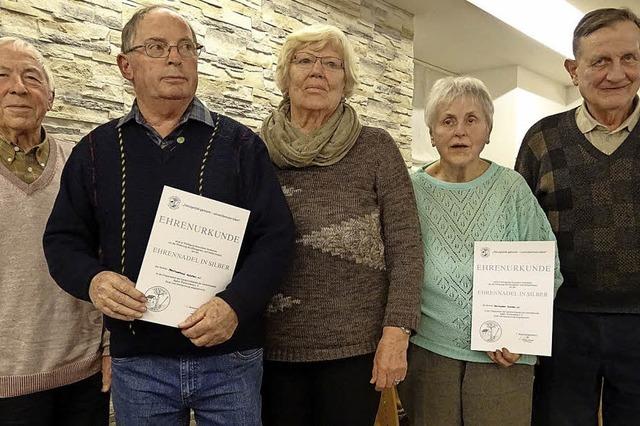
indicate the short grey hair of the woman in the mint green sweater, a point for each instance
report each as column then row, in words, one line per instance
column 448, row 89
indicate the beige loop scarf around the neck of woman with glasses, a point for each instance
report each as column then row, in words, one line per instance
column 289, row 147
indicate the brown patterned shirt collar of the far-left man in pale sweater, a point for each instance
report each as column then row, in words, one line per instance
column 27, row 166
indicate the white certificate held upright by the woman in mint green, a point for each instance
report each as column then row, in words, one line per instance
column 513, row 286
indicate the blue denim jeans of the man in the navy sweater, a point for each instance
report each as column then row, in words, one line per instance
column 155, row 390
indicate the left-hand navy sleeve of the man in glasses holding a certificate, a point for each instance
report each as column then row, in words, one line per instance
column 70, row 239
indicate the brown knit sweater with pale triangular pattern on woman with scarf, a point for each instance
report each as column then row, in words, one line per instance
column 358, row 255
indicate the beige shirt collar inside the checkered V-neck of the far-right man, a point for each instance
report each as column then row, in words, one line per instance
column 599, row 135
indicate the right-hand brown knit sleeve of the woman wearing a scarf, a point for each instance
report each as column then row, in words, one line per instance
column 401, row 237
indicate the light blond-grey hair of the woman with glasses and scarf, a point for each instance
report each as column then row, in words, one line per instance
column 317, row 36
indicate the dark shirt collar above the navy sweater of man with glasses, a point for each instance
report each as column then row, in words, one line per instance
column 195, row 111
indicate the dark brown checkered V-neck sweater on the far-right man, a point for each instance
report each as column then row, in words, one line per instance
column 592, row 201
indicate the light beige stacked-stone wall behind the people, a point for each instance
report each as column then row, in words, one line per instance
column 81, row 40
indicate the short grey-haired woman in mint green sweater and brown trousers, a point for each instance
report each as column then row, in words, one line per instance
column 463, row 198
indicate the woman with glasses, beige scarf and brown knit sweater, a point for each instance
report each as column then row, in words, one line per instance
column 340, row 326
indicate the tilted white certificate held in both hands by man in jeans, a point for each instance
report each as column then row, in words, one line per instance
column 191, row 254
